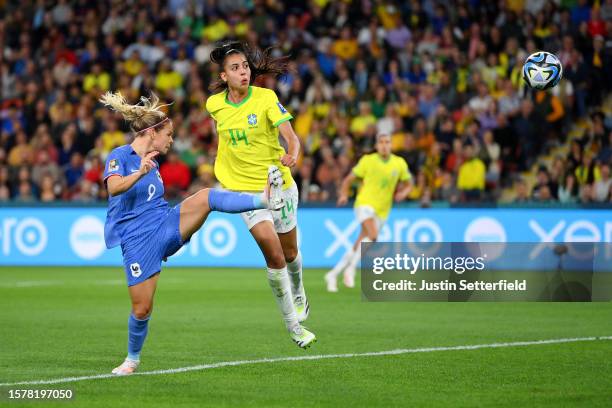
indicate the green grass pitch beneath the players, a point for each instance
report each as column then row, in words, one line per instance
column 66, row 322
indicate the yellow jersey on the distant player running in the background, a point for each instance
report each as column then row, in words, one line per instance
column 379, row 179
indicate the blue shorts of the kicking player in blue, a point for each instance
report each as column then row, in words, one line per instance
column 142, row 256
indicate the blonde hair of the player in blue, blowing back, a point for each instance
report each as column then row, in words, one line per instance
column 147, row 113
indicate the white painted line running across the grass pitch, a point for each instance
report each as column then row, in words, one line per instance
column 314, row 357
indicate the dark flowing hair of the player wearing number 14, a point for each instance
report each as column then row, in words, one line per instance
column 260, row 62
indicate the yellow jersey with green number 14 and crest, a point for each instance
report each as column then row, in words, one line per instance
column 248, row 139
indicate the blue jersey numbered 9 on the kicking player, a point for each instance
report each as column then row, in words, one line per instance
column 138, row 210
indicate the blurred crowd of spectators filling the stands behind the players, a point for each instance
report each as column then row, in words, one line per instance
column 443, row 78
